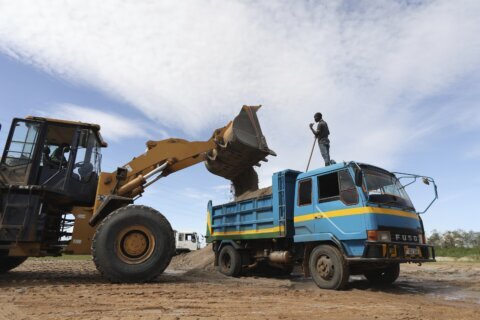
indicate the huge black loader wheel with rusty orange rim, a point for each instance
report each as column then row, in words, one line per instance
column 133, row 244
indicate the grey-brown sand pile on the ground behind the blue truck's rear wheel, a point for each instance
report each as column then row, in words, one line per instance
column 195, row 260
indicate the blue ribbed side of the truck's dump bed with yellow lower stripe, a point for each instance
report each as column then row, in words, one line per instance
column 270, row 216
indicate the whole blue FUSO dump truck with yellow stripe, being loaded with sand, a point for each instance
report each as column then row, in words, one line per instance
column 341, row 220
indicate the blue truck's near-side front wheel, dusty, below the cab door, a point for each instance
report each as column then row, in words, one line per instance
column 328, row 267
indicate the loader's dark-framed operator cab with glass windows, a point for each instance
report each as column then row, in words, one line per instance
column 60, row 157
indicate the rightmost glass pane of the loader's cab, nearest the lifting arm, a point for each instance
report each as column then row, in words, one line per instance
column 87, row 159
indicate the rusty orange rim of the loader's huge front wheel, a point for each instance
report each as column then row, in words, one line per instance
column 135, row 244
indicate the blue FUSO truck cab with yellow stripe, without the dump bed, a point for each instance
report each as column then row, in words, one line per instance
column 364, row 209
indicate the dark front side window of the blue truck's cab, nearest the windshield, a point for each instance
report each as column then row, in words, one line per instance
column 337, row 186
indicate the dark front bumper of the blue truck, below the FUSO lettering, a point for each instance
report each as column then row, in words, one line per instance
column 377, row 251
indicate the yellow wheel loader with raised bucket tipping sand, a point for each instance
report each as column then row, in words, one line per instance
column 50, row 170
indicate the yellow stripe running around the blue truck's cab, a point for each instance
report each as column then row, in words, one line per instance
column 355, row 211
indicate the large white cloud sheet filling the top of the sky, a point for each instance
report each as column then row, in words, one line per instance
column 366, row 65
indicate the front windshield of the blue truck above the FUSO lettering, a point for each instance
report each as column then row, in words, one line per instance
column 385, row 189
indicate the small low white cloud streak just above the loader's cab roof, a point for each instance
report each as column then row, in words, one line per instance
column 113, row 126
